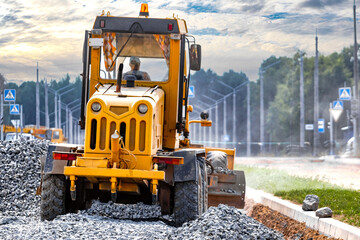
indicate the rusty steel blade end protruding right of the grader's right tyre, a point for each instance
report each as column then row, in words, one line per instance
column 227, row 189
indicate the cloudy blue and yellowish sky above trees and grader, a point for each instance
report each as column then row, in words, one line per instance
column 234, row 34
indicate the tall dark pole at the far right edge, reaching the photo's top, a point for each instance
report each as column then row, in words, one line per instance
column 356, row 80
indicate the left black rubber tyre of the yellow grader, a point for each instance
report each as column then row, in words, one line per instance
column 52, row 196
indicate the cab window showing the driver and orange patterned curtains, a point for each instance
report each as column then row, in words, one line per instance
column 145, row 56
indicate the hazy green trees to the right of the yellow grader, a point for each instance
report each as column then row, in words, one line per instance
column 282, row 98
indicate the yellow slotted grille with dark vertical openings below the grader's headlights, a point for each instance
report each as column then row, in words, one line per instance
column 132, row 132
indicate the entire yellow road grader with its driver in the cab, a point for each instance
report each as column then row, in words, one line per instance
column 137, row 146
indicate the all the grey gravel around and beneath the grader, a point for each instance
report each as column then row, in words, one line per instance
column 20, row 215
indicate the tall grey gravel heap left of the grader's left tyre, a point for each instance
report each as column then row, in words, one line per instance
column 20, row 176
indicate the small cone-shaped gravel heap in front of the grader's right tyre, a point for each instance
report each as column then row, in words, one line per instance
column 224, row 222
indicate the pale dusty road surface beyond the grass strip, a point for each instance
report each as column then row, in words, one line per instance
column 344, row 172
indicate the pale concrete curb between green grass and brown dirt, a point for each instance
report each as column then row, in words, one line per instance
column 326, row 226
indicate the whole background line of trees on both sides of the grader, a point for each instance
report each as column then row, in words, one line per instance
column 281, row 98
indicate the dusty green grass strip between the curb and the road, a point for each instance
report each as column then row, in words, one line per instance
column 345, row 203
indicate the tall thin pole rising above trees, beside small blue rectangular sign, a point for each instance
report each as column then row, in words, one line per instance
column 316, row 98
